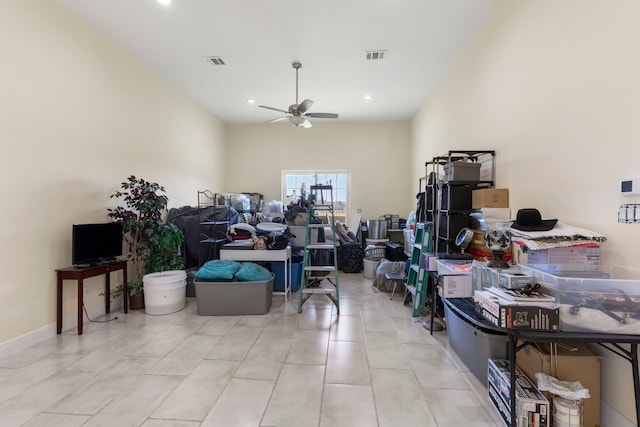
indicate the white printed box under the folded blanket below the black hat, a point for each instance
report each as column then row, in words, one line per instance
column 575, row 258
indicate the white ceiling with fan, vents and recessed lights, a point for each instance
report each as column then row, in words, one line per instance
column 259, row 40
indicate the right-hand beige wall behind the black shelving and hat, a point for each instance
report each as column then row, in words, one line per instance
column 553, row 87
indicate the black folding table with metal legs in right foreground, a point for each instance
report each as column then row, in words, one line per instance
column 612, row 342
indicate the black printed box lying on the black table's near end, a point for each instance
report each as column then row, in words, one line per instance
column 517, row 315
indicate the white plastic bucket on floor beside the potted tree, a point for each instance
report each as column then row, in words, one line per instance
column 164, row 292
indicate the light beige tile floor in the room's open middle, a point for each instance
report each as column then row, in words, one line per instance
column 374, row 365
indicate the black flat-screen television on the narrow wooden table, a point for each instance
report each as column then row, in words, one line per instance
column 96, row 243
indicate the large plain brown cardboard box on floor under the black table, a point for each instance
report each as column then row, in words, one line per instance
column 571, row 362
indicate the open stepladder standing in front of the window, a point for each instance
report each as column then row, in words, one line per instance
column 314, row 275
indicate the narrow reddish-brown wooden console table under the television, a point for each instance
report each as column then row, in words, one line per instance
column 81, row 273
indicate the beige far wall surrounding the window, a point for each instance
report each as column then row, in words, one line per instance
column 376, row 154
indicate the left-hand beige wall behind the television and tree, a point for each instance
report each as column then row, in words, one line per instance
column 77, row 116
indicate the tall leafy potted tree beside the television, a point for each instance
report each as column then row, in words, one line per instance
column 153, row 245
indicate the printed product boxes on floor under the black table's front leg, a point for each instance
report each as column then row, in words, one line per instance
column 532, row 408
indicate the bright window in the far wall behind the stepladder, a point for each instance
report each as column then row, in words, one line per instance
column 292, row 183
